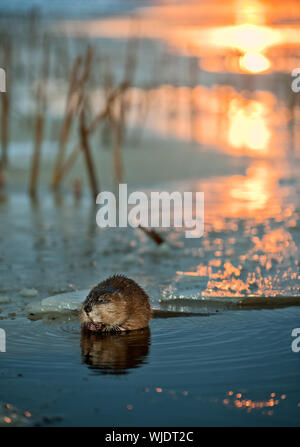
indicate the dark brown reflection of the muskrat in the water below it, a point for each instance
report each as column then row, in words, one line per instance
column 115, row 354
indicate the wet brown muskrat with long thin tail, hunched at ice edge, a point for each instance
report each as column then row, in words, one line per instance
column 120, row 304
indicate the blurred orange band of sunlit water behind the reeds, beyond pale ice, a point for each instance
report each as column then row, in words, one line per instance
column 241, row 123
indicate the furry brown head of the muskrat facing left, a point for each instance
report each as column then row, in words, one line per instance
column 103, row 310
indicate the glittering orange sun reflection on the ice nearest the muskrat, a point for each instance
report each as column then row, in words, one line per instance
column 250, row 245
